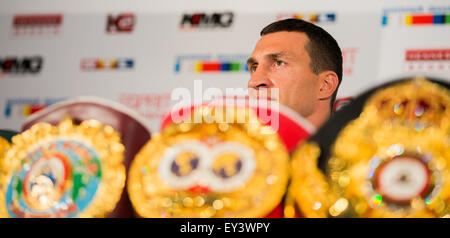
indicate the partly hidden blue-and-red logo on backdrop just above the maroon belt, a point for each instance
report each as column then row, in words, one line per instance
column 23, row 107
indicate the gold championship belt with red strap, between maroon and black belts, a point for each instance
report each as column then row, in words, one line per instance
column 229, row 164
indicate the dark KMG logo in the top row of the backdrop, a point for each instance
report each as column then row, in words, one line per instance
column 206, row 20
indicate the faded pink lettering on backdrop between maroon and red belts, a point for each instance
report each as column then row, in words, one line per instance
column 152, row 106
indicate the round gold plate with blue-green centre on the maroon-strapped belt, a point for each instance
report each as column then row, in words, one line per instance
column 62, row 171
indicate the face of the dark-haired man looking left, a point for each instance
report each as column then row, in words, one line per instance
column 281, row 61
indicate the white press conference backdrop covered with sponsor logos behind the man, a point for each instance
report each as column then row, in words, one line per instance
column 136, row 52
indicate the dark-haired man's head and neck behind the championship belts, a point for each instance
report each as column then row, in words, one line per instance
column 304, row 62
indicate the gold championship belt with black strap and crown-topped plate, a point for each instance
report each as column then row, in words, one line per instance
column 386, row 154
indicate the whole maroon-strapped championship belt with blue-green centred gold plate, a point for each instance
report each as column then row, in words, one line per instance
column 70, row 161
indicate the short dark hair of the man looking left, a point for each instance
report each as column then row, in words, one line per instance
column 322, row 48
